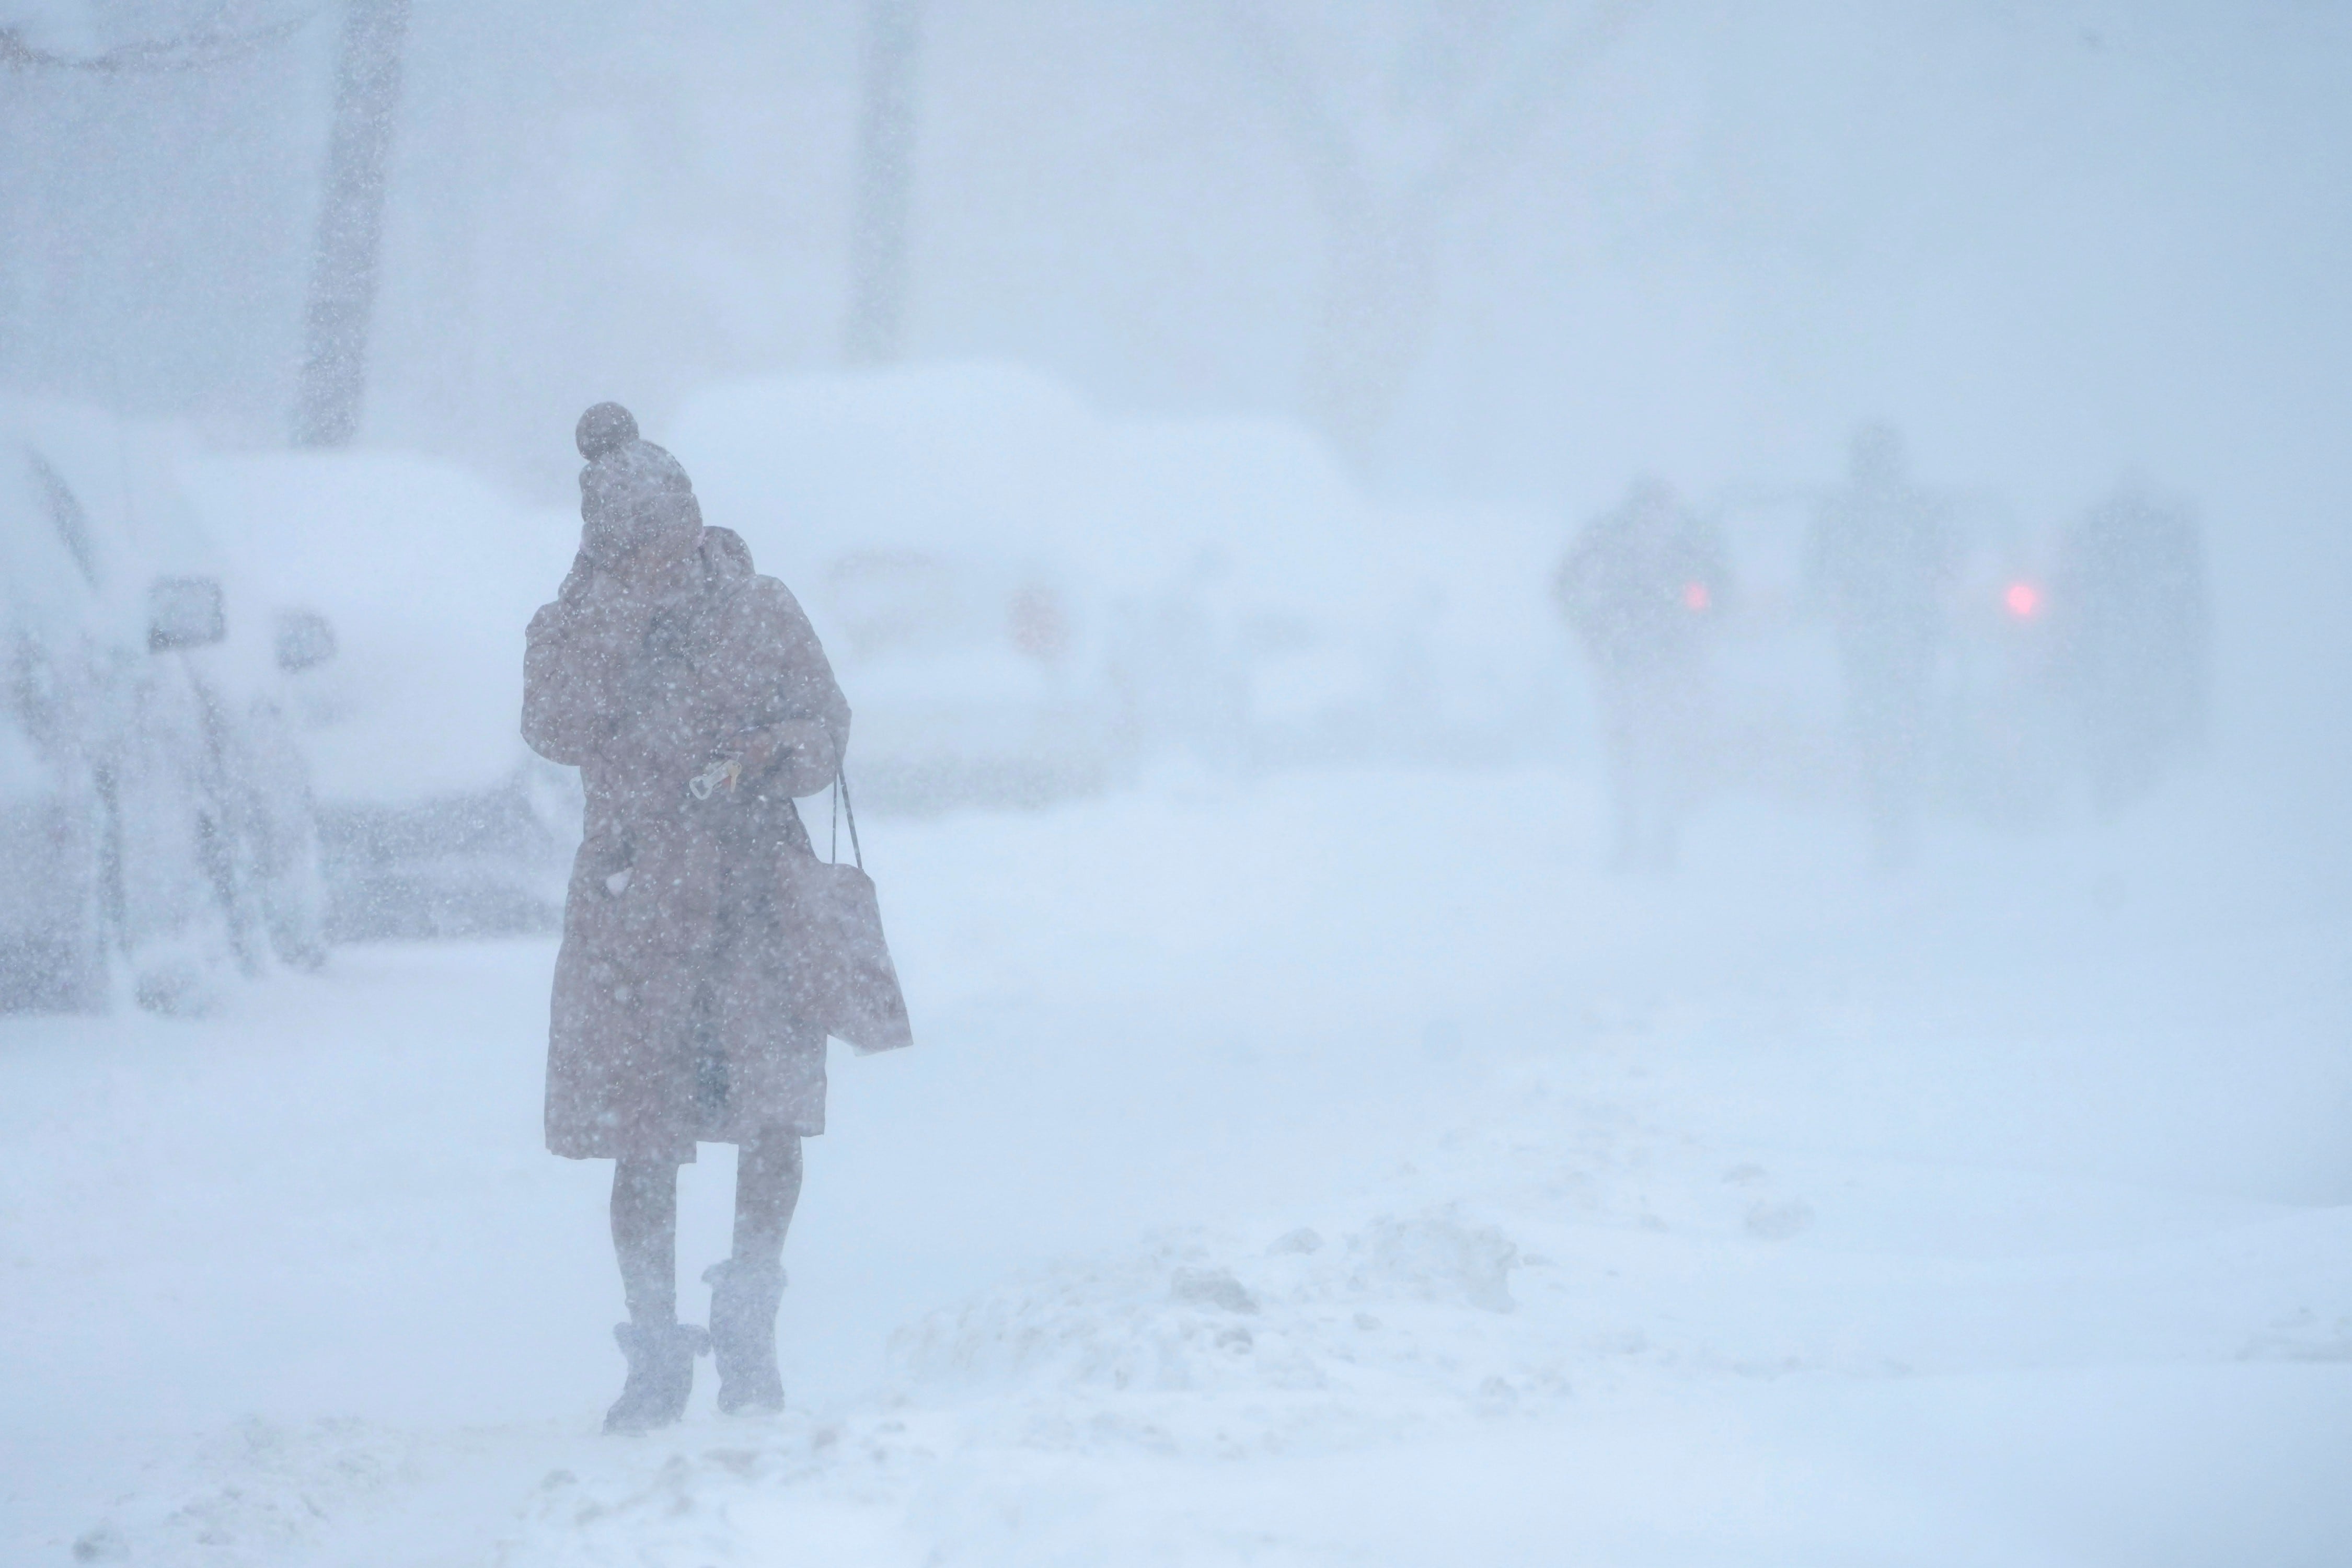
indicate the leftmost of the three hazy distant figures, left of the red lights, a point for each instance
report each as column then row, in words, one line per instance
column 1643, row 589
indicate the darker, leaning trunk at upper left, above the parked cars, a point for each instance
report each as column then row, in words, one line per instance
column 352, row 225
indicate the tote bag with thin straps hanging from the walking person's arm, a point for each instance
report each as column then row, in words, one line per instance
column 843, row 974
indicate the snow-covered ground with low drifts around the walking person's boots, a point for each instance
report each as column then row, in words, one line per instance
column 1332, row 1170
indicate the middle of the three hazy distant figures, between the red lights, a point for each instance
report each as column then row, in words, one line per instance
column 1883, row 561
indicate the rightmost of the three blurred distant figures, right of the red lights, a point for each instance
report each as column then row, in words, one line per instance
column 2130, row 619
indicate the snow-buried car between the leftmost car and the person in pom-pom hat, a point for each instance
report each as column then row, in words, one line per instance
column 434, row 817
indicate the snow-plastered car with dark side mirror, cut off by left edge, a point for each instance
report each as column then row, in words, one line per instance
column 154, row 805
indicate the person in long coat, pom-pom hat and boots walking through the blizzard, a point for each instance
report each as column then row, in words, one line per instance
column 697, row 704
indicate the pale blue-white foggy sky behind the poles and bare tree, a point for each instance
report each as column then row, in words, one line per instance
column 2052, row 241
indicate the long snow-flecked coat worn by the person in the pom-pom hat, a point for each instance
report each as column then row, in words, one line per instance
column 671, row 1014
